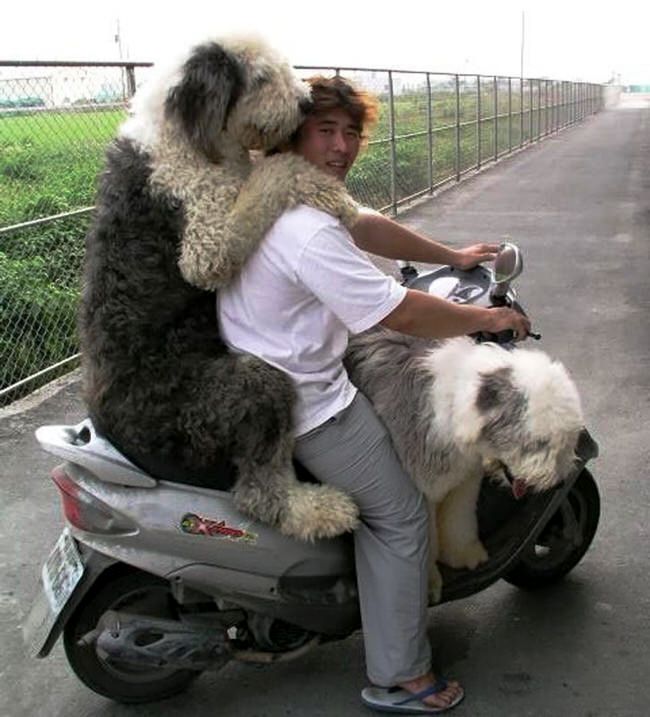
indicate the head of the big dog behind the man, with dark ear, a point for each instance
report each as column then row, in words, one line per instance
column 237, row 92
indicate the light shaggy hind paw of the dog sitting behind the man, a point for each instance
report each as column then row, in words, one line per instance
column 318, row 511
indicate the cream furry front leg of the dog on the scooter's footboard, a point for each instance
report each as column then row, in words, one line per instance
column 460, row 546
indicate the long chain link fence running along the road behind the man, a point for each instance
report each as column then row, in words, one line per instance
column 57, row 118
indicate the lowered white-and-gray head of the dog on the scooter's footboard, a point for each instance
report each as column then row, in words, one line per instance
column 530, row 420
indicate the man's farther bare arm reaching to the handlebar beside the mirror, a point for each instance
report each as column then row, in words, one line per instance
column 382, row 236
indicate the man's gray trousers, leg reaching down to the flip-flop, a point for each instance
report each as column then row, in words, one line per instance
column 353, row 451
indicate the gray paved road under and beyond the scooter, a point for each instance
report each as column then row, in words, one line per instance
column 578, row 205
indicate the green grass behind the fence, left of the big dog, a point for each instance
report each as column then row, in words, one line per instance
column 48, row 165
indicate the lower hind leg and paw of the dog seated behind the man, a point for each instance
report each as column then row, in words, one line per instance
column 271, row 492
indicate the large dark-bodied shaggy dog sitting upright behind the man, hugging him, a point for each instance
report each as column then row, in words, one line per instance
column 180, row 208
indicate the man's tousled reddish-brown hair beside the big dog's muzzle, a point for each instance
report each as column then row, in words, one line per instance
column 337, row 93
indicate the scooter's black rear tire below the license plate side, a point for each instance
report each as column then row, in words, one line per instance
column 128, row 683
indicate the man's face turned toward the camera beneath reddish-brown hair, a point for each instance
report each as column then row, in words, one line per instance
column 331, row 142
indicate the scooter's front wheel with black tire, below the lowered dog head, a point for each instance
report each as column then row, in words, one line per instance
column 564, row 539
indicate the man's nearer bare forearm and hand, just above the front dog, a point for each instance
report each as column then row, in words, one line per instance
column 421, row 314
